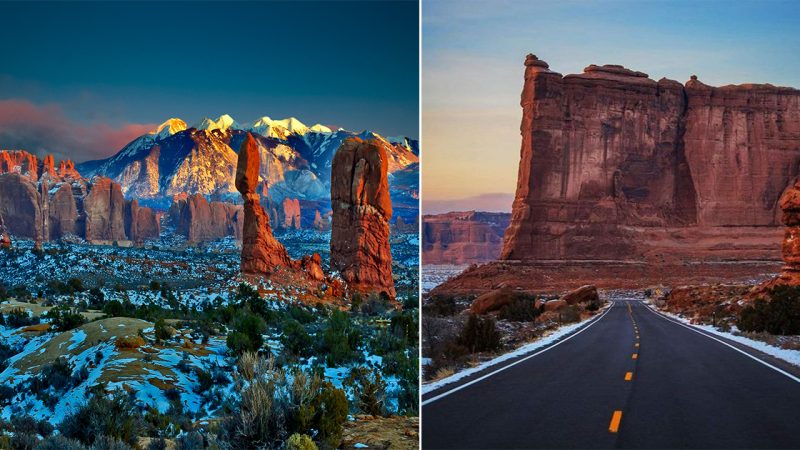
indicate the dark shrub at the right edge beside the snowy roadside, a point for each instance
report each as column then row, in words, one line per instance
column 780, row 315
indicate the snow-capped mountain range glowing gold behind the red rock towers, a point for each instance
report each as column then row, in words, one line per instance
column 295, row 159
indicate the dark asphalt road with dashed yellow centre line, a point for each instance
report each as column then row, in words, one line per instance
column 598, row 389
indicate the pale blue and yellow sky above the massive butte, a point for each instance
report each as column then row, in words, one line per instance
column 472, row 67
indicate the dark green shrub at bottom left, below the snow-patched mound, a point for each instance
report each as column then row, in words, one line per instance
column 104, row 419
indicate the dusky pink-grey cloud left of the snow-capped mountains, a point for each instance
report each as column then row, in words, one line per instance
column 46, row 130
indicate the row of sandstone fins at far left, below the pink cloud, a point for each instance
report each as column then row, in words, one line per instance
column 43, row 203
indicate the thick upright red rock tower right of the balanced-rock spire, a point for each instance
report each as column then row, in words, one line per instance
column 361, row 212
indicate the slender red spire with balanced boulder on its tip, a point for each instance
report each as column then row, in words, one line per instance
column 261, row 252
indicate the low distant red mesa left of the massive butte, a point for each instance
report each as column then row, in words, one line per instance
column 462, row 237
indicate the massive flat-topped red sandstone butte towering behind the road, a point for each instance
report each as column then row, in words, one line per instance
column 615, row 165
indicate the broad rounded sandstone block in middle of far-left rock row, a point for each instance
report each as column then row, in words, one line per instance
column 104, row 208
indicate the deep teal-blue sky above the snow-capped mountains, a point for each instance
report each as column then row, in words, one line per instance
column 113, row 66
